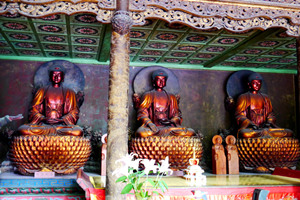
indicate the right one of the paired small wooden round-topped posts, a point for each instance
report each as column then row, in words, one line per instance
column 232, row 155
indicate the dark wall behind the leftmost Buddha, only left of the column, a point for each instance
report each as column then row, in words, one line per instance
column 16, row 84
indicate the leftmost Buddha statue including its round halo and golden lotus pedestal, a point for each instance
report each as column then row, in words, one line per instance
column 51, row 141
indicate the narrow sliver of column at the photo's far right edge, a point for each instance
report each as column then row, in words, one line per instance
column 297, row 87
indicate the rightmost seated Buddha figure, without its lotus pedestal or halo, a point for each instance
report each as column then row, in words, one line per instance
column 254, row 113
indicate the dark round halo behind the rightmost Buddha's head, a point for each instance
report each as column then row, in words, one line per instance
column 237, row 84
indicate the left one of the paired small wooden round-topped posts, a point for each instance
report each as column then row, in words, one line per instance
column 218, row 156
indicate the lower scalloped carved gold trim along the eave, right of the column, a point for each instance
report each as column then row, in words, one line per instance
column 204, row 23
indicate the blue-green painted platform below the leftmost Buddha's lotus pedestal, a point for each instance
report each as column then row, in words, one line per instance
column 14, row 186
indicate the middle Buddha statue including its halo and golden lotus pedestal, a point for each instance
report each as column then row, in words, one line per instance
column 160, row 133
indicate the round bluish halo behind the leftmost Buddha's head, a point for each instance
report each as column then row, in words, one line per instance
column 74, row 78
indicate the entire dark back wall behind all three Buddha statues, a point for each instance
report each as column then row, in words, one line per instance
column 202, row 96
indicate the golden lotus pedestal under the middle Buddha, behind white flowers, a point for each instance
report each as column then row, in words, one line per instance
column 179, row 149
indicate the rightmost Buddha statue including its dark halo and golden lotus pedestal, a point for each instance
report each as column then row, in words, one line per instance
column 261, row 144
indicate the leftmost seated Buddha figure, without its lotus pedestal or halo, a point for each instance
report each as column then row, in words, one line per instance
column 54, row 109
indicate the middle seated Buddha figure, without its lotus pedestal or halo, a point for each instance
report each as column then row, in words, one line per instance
column 158, row 111
